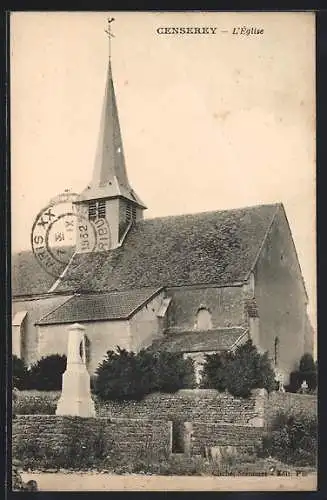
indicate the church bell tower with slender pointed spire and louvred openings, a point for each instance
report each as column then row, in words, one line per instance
column 109, row 197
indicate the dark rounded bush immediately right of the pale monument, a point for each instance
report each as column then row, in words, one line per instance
column 124, row 375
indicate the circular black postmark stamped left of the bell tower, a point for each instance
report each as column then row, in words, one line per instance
column 61, row 229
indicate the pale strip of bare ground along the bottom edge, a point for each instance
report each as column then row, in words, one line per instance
column 135, row 482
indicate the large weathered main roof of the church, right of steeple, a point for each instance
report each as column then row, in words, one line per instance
column 218, row 248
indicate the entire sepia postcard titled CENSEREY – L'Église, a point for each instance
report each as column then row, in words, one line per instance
column 163, row 251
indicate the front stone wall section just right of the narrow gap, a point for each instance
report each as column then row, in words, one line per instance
column 205, row 434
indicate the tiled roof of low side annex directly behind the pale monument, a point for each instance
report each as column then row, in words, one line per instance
column 95, row 307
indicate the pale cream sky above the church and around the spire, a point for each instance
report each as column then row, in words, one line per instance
column 208, row 122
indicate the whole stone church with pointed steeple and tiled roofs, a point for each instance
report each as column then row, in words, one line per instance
column 194, row 284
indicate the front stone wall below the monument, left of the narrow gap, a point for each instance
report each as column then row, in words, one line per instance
column 43, row 441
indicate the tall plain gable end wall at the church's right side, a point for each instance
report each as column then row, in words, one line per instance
column 281, row 298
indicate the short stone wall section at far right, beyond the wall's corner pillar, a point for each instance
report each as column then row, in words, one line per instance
column 288, row 402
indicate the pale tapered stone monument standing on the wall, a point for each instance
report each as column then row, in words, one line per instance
column 75, row 396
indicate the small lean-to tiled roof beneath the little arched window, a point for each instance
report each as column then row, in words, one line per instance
column 200, row 341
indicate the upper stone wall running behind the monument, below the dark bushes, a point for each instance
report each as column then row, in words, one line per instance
column 184, row 405
